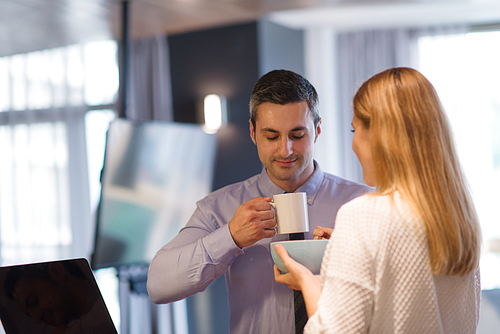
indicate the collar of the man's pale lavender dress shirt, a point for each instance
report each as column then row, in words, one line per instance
column 310, row 187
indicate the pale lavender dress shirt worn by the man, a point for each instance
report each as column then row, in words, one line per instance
column 204, row 250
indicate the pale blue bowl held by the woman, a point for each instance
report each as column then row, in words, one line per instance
column 307, row 252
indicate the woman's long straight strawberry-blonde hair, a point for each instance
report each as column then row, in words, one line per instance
column 413, row 151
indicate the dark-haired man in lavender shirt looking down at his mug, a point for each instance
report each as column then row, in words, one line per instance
column 231, row 229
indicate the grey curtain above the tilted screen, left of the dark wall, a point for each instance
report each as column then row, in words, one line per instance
column 150, row 95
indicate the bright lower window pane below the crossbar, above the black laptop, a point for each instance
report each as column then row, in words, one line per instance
column 34, row 191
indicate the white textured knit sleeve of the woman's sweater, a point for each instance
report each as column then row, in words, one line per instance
column 345, row 305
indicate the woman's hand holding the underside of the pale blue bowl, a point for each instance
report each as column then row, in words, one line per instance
column 297, row 275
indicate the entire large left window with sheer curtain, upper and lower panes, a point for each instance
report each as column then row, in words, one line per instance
column 44, row 186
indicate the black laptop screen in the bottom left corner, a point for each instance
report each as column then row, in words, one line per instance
column 52, row 297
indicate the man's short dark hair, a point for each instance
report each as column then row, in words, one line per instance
column 283, row 87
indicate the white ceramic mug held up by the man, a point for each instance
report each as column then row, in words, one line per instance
column 291, row 213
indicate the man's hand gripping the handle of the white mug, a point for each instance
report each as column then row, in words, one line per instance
column 253, row 221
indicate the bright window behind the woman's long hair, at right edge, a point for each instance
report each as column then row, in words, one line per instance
column 465, row 69
